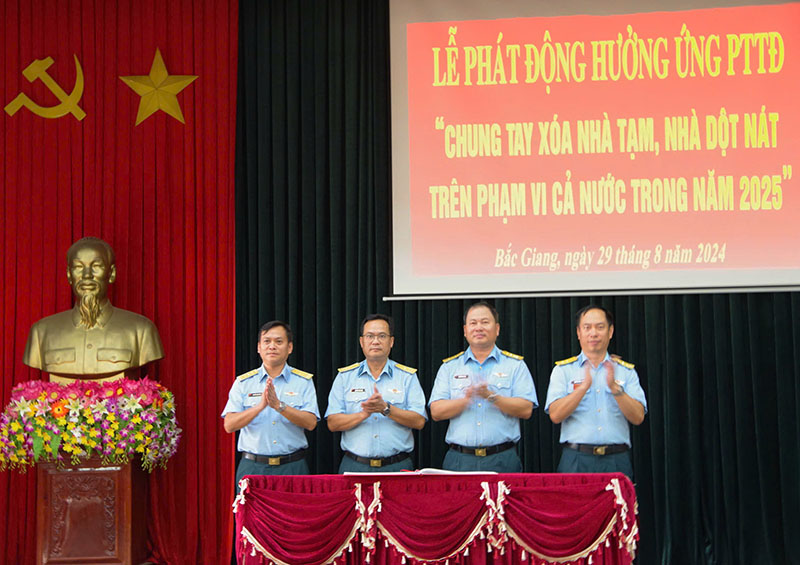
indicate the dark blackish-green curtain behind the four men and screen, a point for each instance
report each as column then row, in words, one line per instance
column 716, row 461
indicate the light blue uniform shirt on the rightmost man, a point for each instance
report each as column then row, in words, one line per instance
column 597, row 420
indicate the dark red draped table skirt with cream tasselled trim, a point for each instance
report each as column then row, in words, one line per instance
column 455, row 519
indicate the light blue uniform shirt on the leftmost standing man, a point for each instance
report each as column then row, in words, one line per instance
column 270, row 433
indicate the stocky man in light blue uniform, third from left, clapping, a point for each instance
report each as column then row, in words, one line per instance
column 484, row 392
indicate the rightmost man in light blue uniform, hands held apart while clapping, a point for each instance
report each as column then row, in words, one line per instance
column 594, row 396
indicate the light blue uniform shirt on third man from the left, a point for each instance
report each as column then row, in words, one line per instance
column 482, row 423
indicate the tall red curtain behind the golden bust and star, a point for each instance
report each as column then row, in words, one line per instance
column 161, row 193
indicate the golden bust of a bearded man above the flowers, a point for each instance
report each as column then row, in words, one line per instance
column 93, row 340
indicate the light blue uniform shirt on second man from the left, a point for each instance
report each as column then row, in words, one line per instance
column 378, row 436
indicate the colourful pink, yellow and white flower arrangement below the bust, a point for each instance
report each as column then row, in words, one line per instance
column 112, row 420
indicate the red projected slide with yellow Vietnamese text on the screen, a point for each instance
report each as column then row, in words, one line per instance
column 625, row 152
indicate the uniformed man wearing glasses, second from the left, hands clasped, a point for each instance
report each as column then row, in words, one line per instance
column 376, row 404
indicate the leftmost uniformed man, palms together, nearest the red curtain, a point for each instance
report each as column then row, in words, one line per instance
column 271, row 407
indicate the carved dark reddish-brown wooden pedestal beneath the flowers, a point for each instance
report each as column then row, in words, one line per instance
column 91, row 513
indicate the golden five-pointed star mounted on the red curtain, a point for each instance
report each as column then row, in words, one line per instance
column 158, row 90
